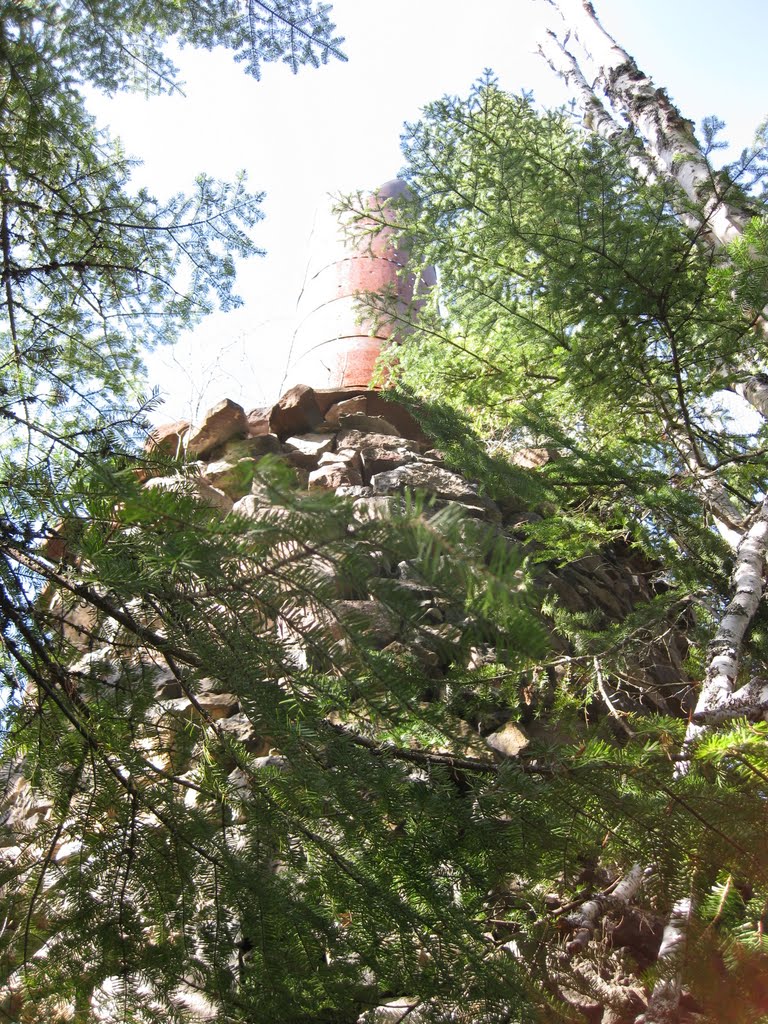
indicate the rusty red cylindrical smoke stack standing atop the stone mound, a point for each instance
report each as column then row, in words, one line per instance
column 332, row 349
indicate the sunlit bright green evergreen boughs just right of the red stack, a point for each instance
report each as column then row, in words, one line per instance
column 577, row 313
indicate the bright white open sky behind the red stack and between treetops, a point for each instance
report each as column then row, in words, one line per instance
column 338, row 130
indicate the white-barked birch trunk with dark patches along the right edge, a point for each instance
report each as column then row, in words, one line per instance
column 718, row 215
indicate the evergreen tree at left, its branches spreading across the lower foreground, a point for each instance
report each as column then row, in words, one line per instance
column 154, row 867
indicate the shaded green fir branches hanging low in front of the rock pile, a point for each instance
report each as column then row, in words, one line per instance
column 271, row 882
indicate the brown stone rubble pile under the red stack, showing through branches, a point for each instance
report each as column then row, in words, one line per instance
column 369, row 450
